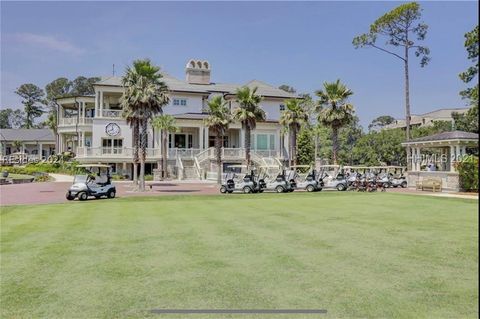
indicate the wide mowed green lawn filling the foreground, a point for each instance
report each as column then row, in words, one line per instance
column 355, row 255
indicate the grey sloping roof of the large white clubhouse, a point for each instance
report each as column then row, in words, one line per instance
column 177, row 85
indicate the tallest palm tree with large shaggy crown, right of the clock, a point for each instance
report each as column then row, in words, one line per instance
column 145, row 96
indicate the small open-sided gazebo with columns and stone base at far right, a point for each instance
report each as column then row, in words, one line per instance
column 434, row 157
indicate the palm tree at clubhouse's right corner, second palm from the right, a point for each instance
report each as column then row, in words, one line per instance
column 292, row 119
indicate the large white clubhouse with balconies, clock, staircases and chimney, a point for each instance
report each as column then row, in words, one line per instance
column 93, row 128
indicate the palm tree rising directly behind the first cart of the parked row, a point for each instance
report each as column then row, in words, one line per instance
column 248, row 113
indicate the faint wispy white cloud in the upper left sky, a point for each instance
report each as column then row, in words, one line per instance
column 48, row 42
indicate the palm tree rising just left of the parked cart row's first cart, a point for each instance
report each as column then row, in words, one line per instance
column 218, row 120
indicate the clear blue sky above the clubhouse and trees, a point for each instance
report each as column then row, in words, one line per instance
column 301, row 44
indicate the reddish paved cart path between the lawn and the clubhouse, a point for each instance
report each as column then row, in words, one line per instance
column 54, row 192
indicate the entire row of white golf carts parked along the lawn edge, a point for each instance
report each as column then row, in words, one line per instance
column 279, row 179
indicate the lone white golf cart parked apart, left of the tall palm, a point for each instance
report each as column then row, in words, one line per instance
column 96, row 183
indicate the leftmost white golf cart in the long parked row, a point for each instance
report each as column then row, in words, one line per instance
column 241, row 180
